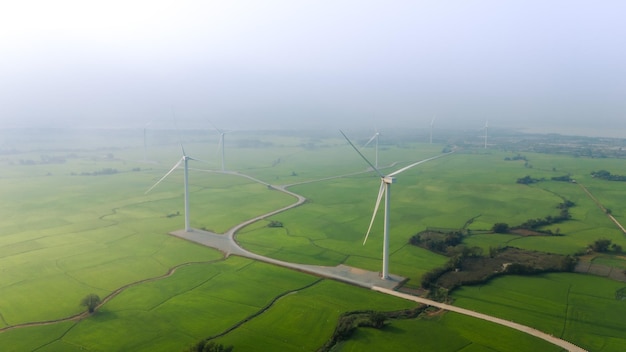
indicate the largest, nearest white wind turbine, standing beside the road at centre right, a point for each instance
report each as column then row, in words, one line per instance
column 385, row 189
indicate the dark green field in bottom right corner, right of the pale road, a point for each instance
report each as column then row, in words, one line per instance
column 581, row 309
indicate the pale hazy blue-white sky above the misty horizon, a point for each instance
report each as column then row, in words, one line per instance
column 288, row 63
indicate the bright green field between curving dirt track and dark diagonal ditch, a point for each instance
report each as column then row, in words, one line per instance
column 196, row 302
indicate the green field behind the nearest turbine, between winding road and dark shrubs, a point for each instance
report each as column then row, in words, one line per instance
column 338, row 211
